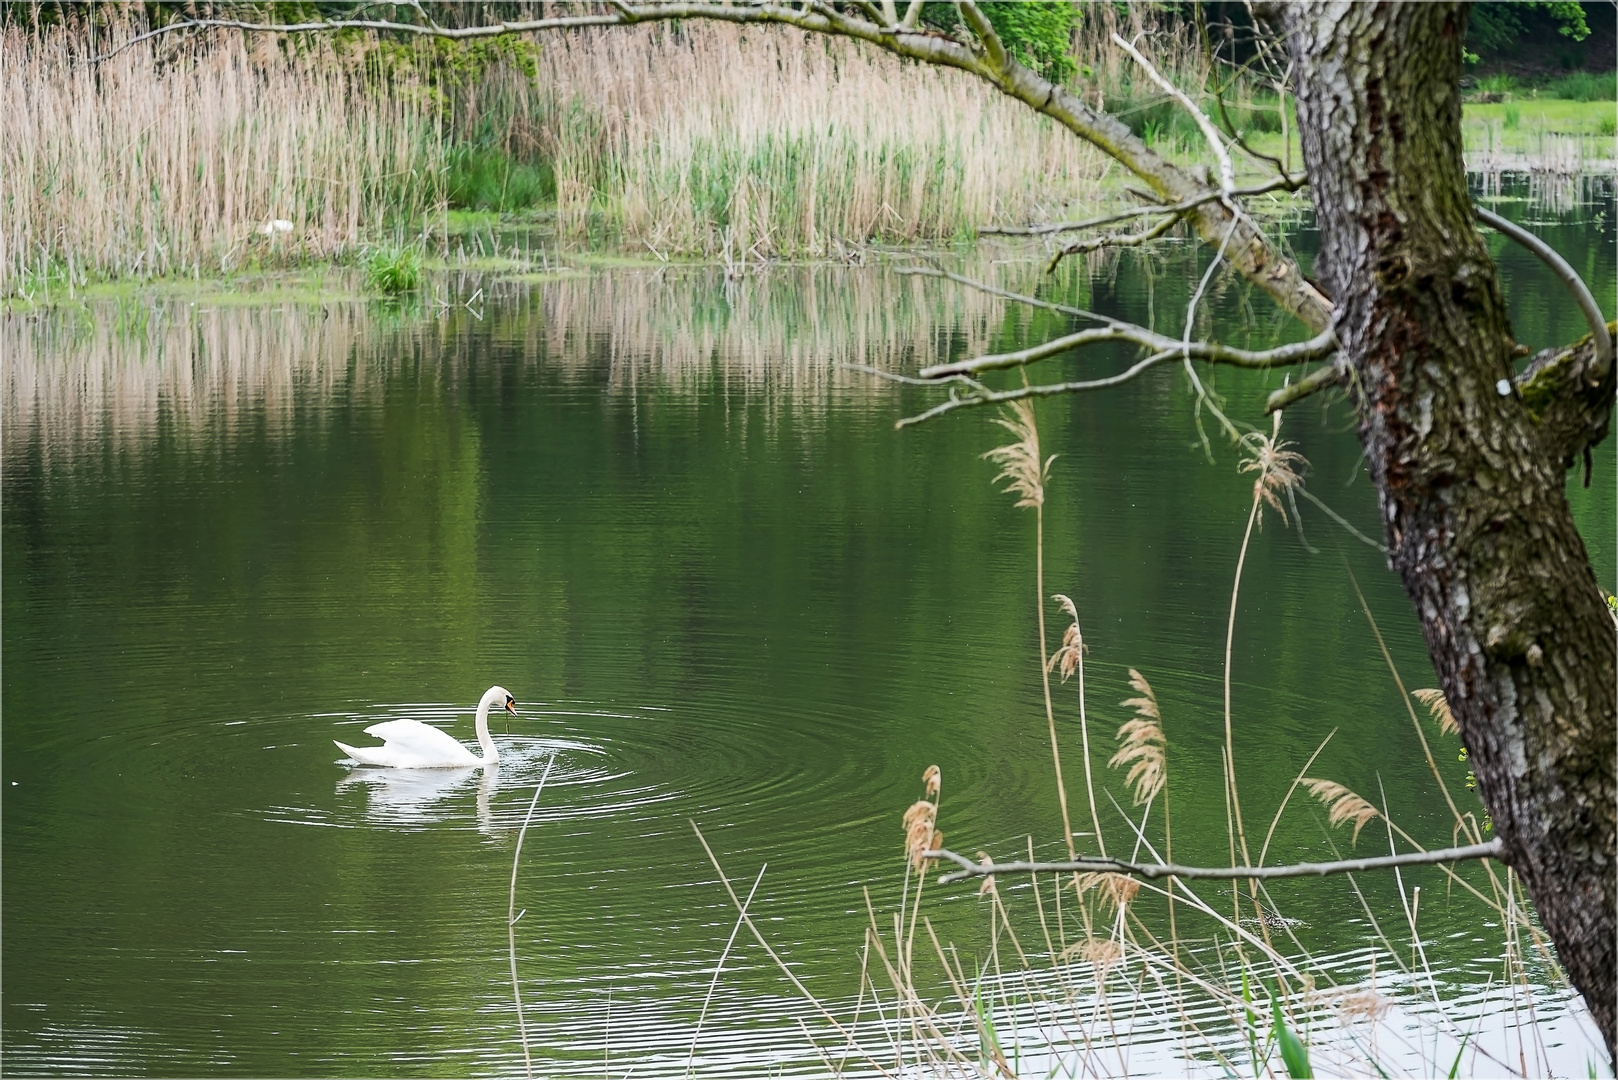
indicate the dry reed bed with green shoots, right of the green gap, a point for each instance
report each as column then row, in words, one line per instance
column 763, row 142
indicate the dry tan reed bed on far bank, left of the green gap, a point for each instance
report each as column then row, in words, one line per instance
column 182, row 156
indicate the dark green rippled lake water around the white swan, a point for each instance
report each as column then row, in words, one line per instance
column 724, row 592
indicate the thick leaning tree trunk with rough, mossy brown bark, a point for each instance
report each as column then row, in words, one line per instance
column 1470, row 487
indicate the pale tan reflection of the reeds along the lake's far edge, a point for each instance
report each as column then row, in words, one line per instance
column 75, row 378
